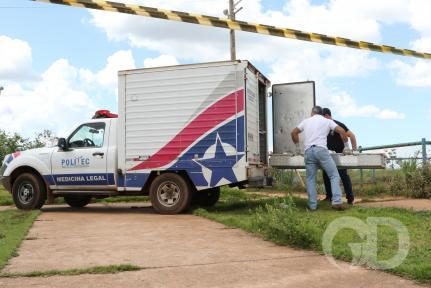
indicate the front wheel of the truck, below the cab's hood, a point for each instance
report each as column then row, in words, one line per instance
column 29, row 192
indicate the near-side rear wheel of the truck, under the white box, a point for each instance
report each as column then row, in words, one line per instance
column 170, row 194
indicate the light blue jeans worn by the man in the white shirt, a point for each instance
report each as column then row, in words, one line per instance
column 316, row 157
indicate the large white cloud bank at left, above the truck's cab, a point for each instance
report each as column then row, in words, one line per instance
column 59, row 97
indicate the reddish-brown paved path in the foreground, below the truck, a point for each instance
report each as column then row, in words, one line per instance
column 177, row 251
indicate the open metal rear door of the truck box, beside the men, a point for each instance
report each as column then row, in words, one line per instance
column 292, row 103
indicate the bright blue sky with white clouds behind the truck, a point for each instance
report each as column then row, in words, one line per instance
column 383, row 98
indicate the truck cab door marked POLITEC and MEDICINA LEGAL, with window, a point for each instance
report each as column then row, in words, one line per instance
column 84, row 164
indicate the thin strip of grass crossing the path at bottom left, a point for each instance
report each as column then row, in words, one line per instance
column 111, row 269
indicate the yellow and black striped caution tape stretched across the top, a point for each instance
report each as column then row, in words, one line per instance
column 235, row 25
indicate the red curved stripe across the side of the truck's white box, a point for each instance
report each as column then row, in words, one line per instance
column 204, row 122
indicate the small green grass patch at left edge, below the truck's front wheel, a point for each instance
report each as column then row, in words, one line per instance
column 14, row 226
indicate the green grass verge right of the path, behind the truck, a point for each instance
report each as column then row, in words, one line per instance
column 295, row 226
